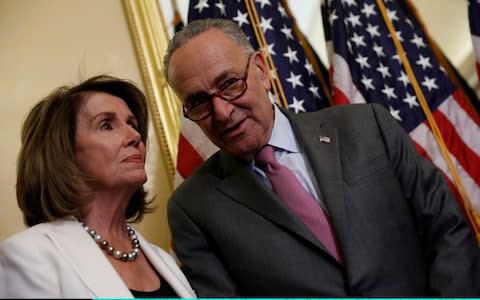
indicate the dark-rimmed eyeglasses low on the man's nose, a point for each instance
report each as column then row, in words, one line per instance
column 201, row 106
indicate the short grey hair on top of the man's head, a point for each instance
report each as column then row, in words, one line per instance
column 194, row 28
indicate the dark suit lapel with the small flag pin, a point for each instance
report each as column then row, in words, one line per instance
column 320, row 146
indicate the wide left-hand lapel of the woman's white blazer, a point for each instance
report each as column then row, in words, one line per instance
column 87, row 259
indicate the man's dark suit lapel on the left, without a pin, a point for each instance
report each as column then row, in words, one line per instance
column 241, row 185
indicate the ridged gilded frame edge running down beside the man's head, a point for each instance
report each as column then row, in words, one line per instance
column 150, row 35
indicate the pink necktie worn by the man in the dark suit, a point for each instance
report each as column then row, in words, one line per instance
column 286, row 185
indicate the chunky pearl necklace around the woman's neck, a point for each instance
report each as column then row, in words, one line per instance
column 105, row 245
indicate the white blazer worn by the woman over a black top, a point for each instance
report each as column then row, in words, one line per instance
column 60, row 260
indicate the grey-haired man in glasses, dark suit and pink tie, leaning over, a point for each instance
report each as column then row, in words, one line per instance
column 390, row 225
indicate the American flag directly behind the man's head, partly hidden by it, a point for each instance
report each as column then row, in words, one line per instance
column 300, row 79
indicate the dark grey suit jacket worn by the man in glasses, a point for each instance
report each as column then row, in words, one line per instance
column 399, row 228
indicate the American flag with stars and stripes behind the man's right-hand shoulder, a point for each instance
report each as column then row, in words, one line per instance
column 367, row 67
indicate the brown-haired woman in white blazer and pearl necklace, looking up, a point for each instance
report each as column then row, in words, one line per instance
column 81, row 171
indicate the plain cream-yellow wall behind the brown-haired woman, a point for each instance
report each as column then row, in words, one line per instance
column 47, row 43
